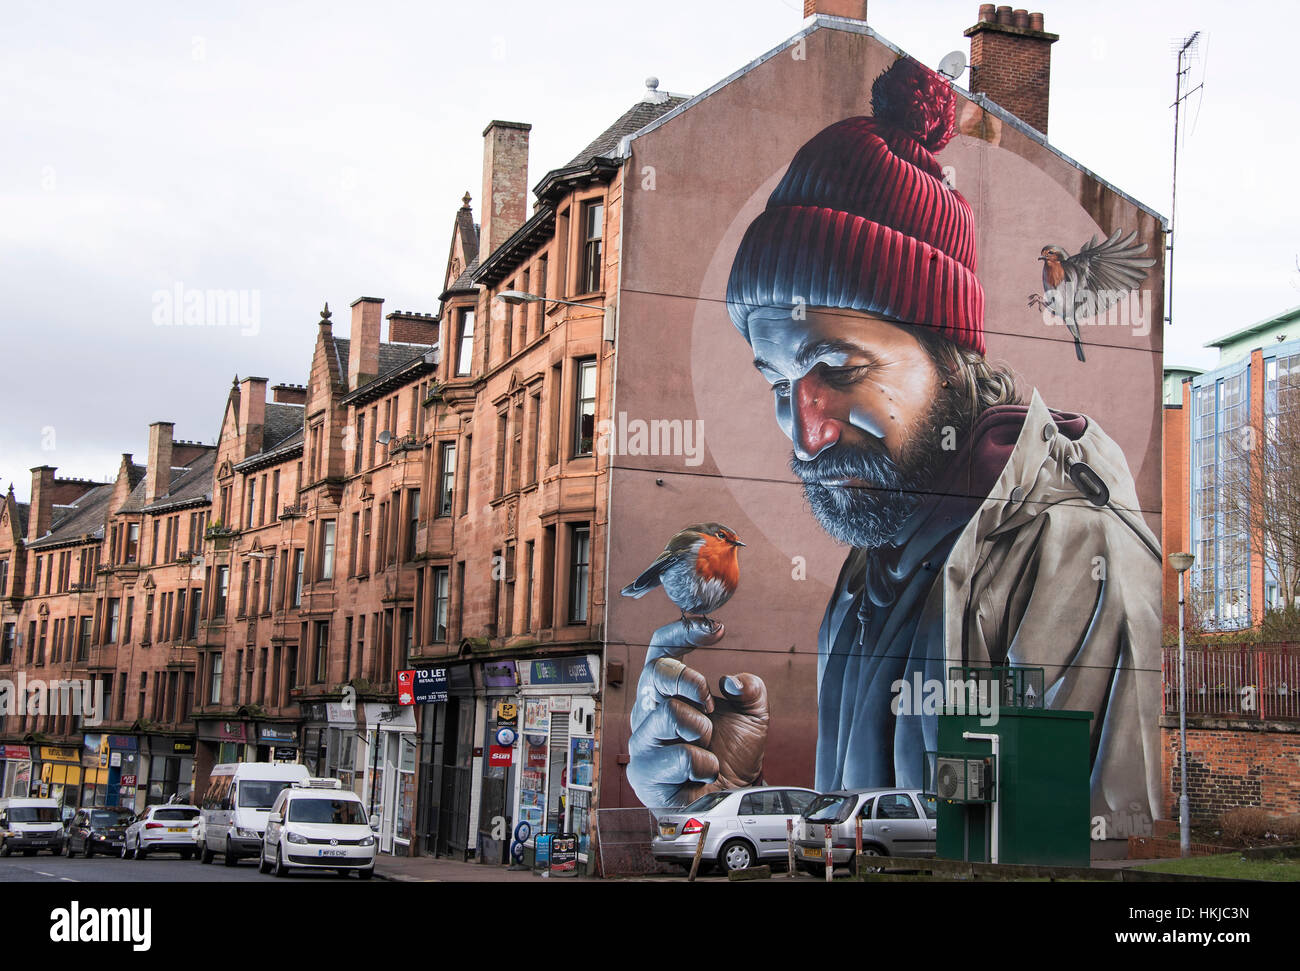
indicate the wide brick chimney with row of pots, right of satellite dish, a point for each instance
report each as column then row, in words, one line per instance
column 1012, row 62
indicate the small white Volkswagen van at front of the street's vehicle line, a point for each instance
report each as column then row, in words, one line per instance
column 322, row 826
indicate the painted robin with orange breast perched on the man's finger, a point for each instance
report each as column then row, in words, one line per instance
column 699, row 570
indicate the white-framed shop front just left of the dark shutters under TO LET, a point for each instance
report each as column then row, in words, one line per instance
column 389, row 784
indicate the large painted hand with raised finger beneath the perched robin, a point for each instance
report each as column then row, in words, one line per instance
column 687, row 742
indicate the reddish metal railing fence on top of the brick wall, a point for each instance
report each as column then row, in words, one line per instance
column 1262, row 682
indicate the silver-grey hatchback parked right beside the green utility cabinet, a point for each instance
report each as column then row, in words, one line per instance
column 895, row 823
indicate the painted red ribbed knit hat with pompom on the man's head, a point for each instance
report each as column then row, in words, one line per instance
column 865, row 222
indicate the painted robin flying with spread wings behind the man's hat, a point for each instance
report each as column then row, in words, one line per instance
column 1085, row 285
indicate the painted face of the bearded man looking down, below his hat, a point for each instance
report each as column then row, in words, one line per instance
column 866, row 410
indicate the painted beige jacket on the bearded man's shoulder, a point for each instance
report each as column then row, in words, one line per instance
column 1073, row 586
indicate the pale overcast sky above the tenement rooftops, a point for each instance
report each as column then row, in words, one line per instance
column 319, row 151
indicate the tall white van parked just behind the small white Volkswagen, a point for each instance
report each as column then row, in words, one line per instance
column 237, row 804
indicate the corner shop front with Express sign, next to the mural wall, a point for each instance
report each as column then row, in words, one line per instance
column 557, row 749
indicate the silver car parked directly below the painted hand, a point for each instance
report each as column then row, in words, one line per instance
column 747, row 827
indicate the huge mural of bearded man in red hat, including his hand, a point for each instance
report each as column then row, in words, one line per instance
column 985, row 528
